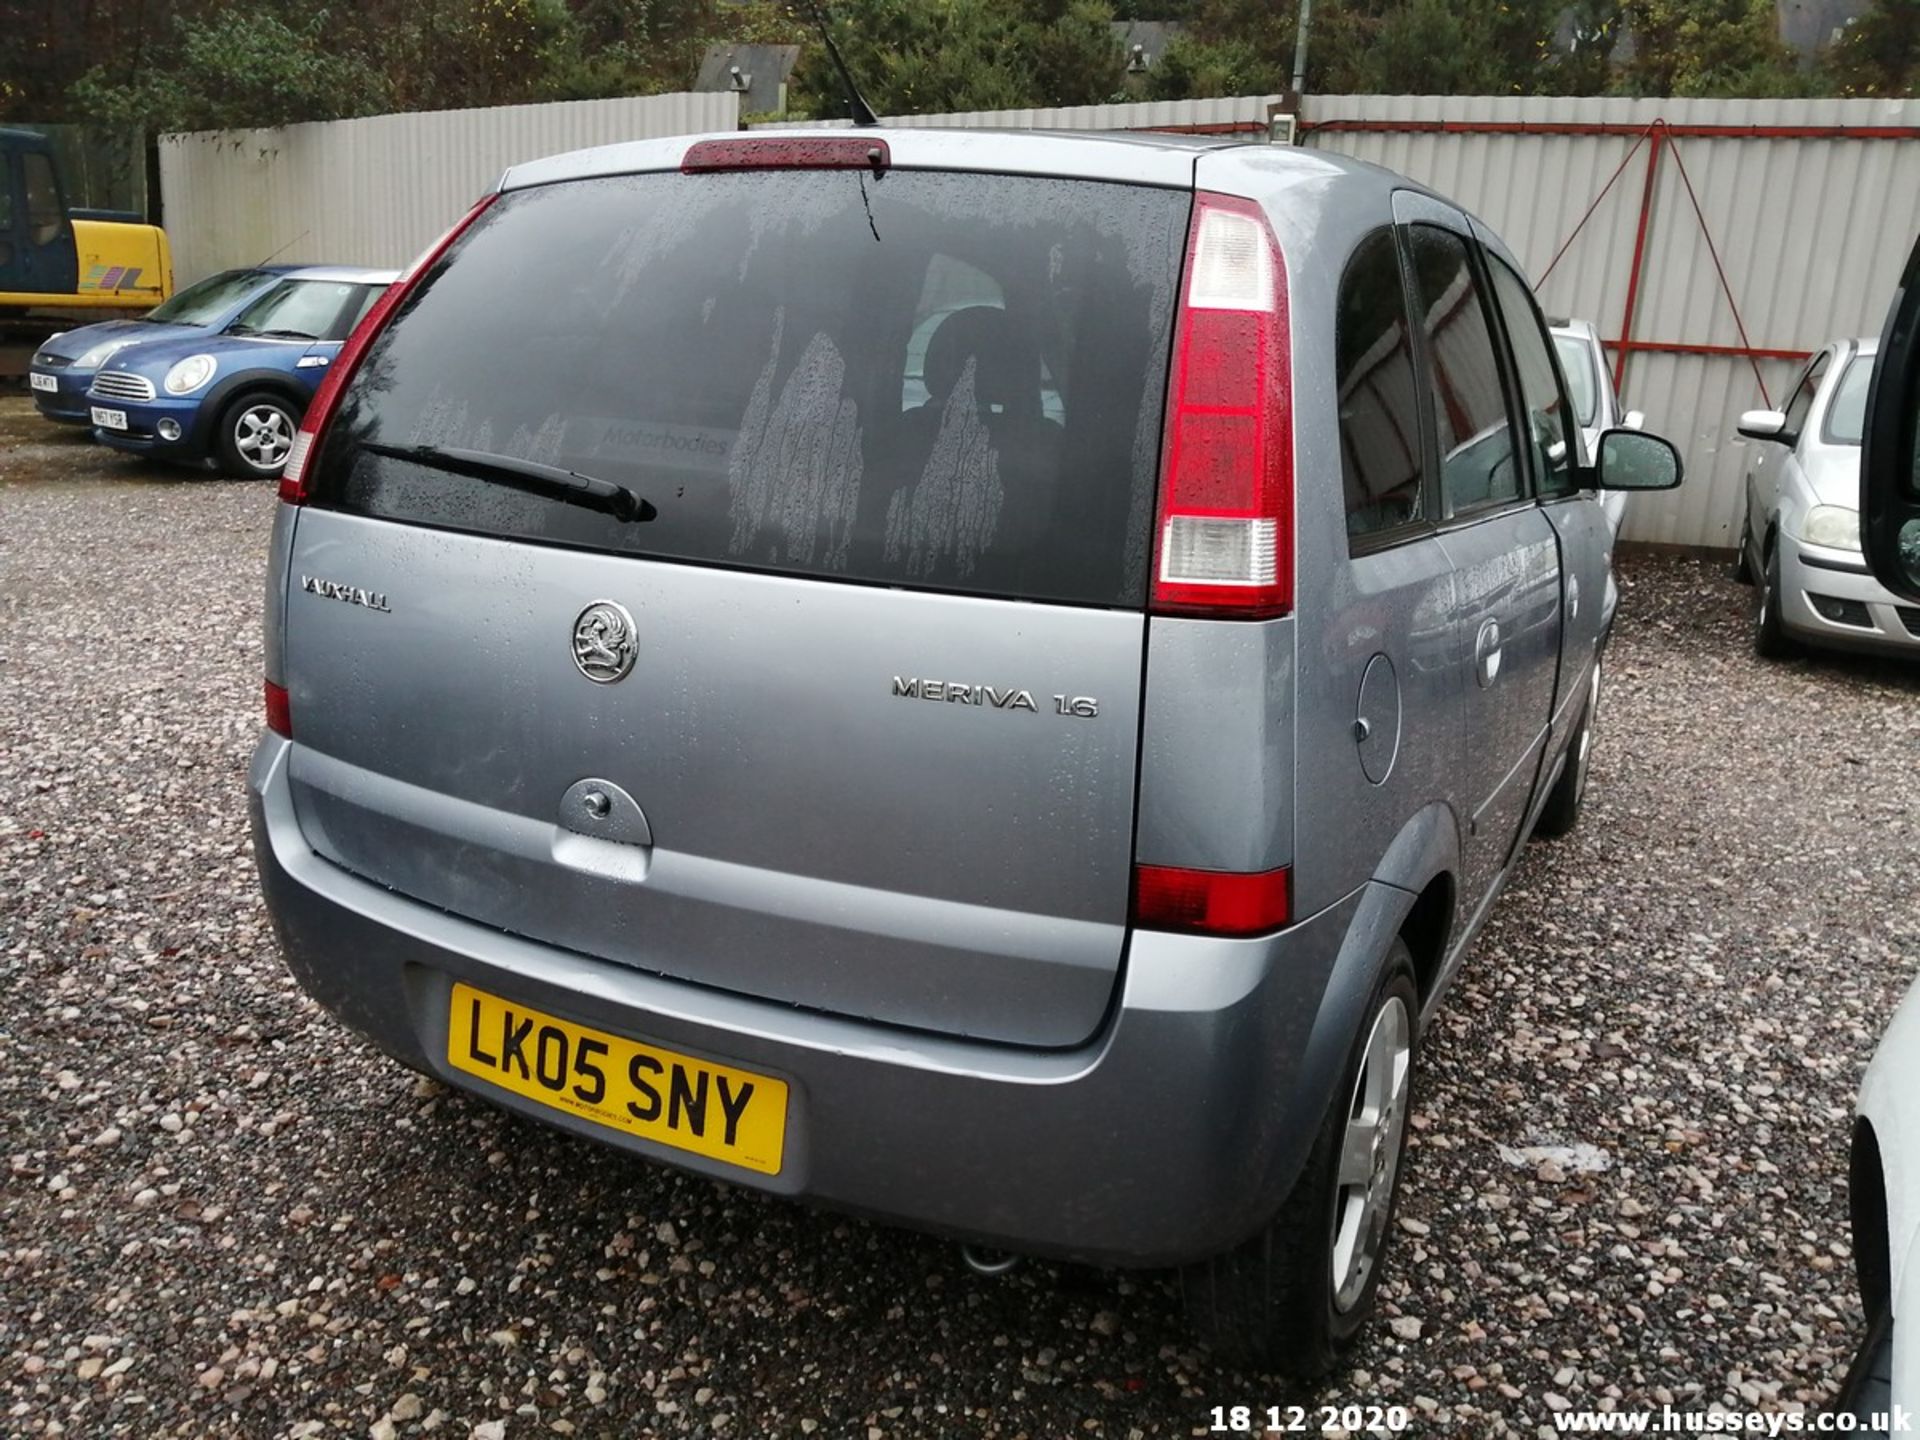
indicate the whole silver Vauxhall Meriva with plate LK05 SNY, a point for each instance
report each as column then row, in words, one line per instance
column 978, row 679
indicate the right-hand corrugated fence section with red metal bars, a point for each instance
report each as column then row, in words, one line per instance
column 1812, row 206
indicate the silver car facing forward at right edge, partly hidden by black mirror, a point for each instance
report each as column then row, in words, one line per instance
column 1800, row 535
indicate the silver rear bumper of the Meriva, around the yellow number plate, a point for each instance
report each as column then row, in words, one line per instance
column 1172, row 1136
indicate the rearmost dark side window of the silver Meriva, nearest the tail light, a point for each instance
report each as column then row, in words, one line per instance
column 1381, row 452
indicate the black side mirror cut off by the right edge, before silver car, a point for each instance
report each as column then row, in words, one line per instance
column 1890, row 450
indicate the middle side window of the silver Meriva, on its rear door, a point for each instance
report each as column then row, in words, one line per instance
column 1477, row 462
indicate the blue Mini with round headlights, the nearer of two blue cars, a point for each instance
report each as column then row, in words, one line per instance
column 235, row 396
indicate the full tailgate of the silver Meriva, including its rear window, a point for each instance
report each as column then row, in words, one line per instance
column 846, row 715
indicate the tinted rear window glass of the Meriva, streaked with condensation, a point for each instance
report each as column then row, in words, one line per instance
column 919, row 379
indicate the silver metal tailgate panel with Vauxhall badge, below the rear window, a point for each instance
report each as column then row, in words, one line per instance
column 840, row 811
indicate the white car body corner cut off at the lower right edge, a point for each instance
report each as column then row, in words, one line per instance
column 1886, row 1222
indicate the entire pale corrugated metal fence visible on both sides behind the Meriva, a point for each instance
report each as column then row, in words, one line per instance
column 1812, row 206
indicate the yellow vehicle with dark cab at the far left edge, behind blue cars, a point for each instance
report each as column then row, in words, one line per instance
column 82, row 264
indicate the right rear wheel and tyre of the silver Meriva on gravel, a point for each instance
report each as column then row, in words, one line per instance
column 1297, row 1297
